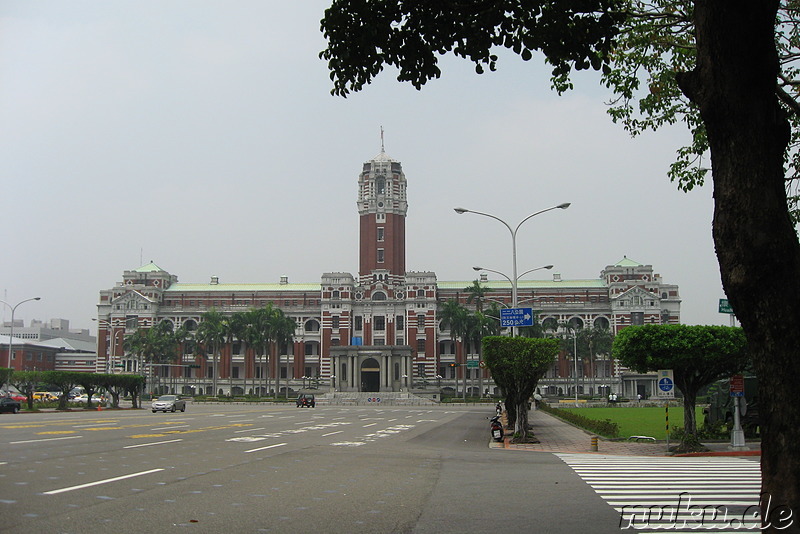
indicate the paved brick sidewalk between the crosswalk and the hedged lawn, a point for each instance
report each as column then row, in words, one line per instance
column 556, row 435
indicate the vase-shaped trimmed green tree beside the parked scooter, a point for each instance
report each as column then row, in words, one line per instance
column 517, row 364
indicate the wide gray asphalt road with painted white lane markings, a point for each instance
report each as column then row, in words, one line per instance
column 282, row 469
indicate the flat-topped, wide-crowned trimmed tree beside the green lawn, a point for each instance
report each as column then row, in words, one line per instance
column 698, row 355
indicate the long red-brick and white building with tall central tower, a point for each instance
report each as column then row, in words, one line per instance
column 377, row 330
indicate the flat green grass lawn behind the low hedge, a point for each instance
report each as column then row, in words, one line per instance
column 635, row 421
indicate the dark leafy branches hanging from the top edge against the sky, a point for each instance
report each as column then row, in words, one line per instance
column 363, row 37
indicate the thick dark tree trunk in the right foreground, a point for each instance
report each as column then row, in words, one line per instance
column 734, row 86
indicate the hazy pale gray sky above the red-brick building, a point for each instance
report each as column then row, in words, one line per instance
column 202, row 135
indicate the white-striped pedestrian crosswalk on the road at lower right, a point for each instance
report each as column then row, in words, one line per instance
column 679, row 494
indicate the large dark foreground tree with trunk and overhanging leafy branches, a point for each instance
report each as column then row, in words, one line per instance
column 733, row 64
